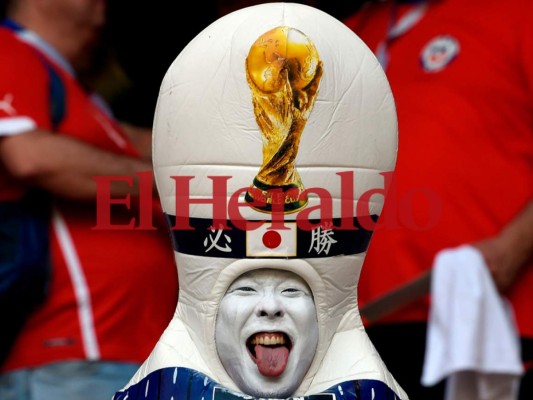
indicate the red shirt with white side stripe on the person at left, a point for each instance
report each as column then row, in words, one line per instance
column 113, row 292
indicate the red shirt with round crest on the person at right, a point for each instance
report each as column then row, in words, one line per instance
column 462, row 79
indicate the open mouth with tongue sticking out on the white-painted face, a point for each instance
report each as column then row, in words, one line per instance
column 270, row 352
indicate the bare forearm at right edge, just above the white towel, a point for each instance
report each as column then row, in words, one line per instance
column 509, row 252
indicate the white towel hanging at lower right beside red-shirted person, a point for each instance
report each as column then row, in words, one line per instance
column 472, row 338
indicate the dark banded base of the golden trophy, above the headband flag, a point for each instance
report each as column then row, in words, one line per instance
column 268, row 198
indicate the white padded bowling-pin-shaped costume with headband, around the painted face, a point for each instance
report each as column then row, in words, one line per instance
column 273, row 127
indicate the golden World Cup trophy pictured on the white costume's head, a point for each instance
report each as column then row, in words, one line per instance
column 283, row 70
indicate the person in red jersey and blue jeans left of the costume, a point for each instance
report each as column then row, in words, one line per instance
column 112, row 291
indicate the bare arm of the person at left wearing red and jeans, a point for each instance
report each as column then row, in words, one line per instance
column 65, row 166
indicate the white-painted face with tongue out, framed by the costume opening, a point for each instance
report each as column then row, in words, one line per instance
column 267, row 332
